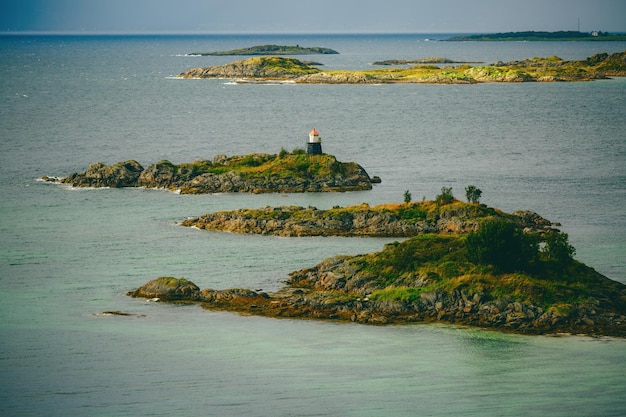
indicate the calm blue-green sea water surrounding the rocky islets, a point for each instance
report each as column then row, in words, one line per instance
column 69, row 255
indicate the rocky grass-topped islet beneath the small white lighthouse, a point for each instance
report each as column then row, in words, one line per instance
column 286, row 172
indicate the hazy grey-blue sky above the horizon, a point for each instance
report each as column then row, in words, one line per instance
column 292, row 16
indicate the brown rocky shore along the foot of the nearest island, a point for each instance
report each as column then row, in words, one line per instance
column 320, row 293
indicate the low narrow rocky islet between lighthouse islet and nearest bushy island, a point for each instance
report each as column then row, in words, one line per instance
column 389, row 220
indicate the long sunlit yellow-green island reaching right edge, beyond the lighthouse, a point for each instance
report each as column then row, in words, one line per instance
column 280, row 69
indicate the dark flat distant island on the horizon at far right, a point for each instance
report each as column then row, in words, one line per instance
column 542, row 36
